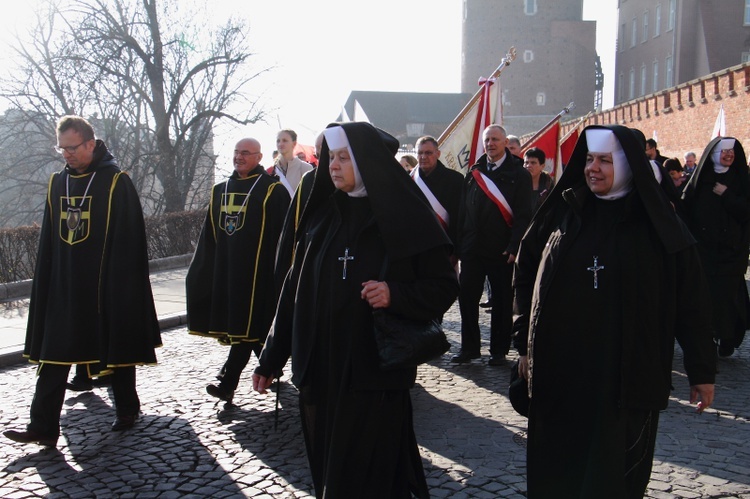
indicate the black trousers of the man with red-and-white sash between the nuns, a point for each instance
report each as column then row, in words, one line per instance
column 500, row 275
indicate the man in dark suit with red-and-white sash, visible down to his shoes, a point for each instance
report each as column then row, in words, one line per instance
column 494, row 213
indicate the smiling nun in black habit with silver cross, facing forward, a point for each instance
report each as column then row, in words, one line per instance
column 602, row 273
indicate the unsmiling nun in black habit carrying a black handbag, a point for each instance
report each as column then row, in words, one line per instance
column 363, row 210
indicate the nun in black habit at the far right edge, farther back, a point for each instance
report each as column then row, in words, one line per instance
column 717, row 199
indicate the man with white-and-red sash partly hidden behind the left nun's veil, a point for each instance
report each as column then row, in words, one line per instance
column 441, row 185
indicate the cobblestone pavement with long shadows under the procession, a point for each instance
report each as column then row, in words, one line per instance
column 472, row 441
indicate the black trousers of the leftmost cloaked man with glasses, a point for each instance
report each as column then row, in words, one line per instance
column 50, row 395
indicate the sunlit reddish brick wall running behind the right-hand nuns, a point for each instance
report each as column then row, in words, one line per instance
column 684, row 116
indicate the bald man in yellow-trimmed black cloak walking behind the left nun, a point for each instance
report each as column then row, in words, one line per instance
column 231, row 291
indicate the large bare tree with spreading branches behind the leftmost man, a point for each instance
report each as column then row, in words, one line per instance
column 153, row 77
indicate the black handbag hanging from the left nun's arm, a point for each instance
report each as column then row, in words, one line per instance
column 405, row 343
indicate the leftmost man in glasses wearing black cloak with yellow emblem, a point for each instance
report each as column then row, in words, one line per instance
column 91, row 300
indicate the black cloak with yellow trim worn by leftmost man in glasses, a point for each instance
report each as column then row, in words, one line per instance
column 91, row 300
